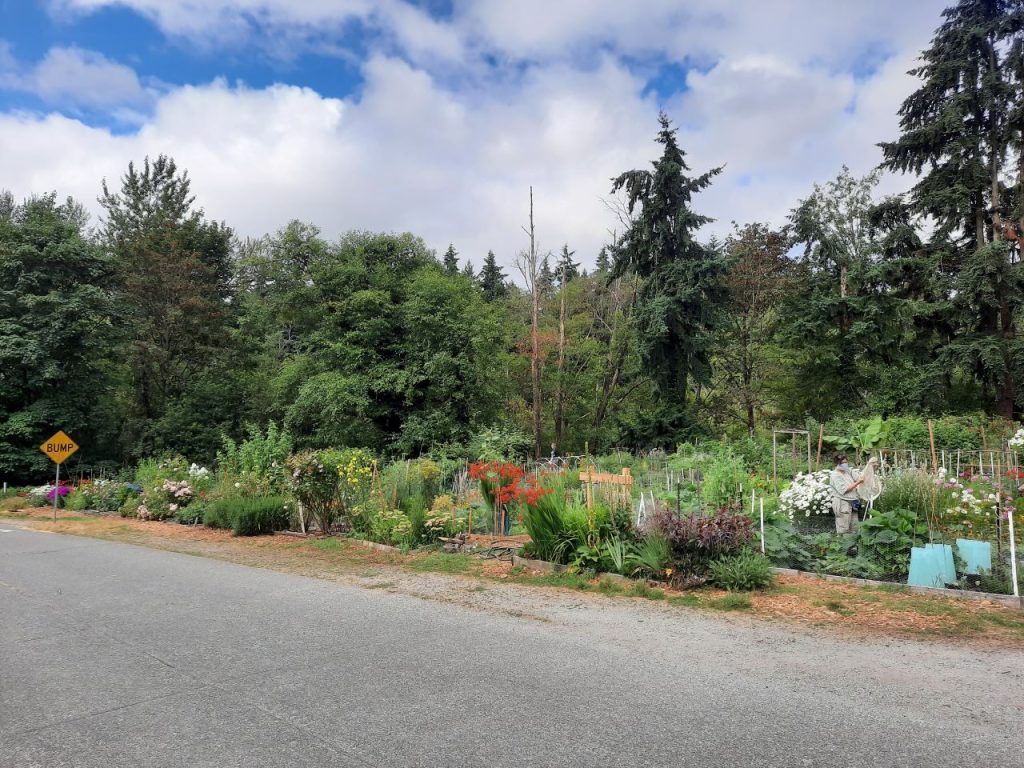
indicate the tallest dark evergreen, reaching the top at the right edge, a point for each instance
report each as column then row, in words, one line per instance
column 962, row 135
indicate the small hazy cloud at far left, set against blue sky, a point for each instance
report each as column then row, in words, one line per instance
column 74, row 77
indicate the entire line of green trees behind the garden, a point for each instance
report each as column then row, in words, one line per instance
column 157, row 329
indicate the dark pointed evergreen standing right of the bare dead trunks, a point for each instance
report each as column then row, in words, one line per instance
column 682, row 284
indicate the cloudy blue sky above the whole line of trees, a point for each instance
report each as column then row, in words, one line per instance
column 437, row 117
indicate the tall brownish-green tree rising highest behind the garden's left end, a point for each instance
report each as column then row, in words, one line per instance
column 175, row 284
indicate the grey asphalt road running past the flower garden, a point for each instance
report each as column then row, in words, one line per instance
column 118, row 656
